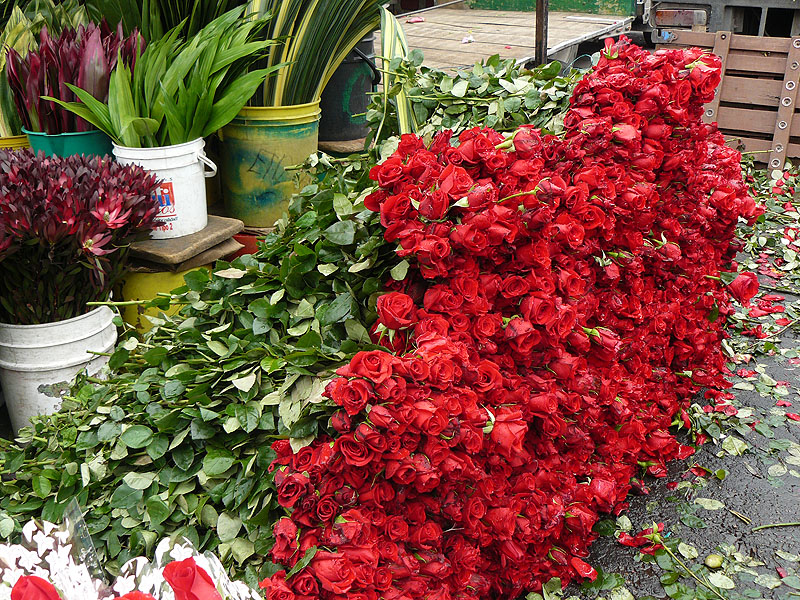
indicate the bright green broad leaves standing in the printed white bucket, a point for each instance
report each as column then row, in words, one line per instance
column 179, row 89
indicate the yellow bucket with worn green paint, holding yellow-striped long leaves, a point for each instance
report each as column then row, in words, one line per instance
column 257, row 146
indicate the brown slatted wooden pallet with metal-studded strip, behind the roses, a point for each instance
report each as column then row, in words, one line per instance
column 756, row 102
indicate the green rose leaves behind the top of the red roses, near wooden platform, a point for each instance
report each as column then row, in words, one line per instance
column 499, row 94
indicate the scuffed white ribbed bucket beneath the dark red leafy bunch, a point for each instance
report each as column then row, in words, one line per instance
column 37, row 362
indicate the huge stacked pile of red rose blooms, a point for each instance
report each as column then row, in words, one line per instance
column 563, row 305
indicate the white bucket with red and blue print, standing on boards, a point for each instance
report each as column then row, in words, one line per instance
column 182, row 193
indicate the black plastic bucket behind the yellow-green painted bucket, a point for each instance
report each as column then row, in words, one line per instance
column 346, row 97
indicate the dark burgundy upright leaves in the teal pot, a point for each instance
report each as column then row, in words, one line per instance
column 84, row 57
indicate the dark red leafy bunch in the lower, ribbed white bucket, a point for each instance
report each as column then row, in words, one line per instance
column 65, row 228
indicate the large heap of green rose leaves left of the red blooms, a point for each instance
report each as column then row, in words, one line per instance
column 178, row 440
